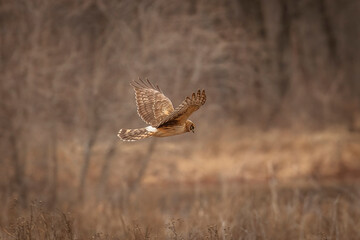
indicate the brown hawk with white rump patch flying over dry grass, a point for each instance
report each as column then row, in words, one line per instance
column 156, row 109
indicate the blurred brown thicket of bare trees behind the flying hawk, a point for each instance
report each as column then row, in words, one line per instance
column 65, row 68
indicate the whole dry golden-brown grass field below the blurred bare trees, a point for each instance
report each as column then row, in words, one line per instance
column 266, row 185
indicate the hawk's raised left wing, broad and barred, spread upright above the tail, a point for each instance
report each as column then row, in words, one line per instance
column 152, row 105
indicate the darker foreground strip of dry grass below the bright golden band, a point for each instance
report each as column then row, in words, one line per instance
column 310, row 210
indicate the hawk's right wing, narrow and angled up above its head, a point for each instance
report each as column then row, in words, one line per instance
column 186, row 108
